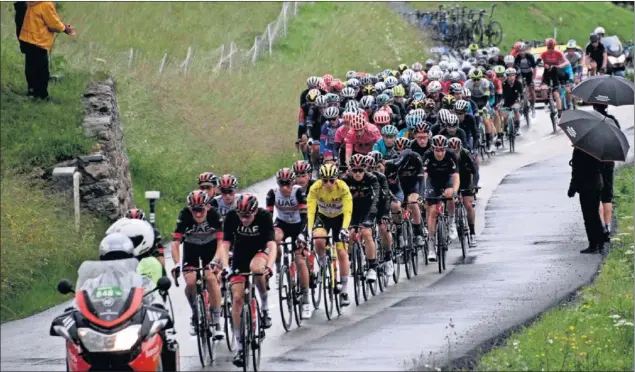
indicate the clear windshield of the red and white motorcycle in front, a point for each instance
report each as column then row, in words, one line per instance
column 108, row 284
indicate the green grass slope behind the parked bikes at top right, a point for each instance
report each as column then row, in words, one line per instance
column 536, row 20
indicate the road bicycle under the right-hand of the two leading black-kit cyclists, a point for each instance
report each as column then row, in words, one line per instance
column 252, row 331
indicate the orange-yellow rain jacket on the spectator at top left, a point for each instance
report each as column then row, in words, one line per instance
column 40, row 23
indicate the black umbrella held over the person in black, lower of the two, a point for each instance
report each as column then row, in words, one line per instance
column 595, row 134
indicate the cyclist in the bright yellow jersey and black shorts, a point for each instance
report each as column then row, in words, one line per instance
column 330, row 207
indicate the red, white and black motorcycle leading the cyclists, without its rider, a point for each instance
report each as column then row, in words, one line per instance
column 117, row 322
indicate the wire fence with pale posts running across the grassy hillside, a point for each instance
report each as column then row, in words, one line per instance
column 227, row 57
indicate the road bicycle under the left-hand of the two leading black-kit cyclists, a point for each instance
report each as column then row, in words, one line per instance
column 202, row 317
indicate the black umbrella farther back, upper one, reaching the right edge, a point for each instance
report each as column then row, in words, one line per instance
column 607, row 89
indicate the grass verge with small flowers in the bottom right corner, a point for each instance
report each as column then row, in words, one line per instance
column 596, row 332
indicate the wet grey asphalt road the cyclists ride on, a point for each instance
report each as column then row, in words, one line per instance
column 525, row 261
